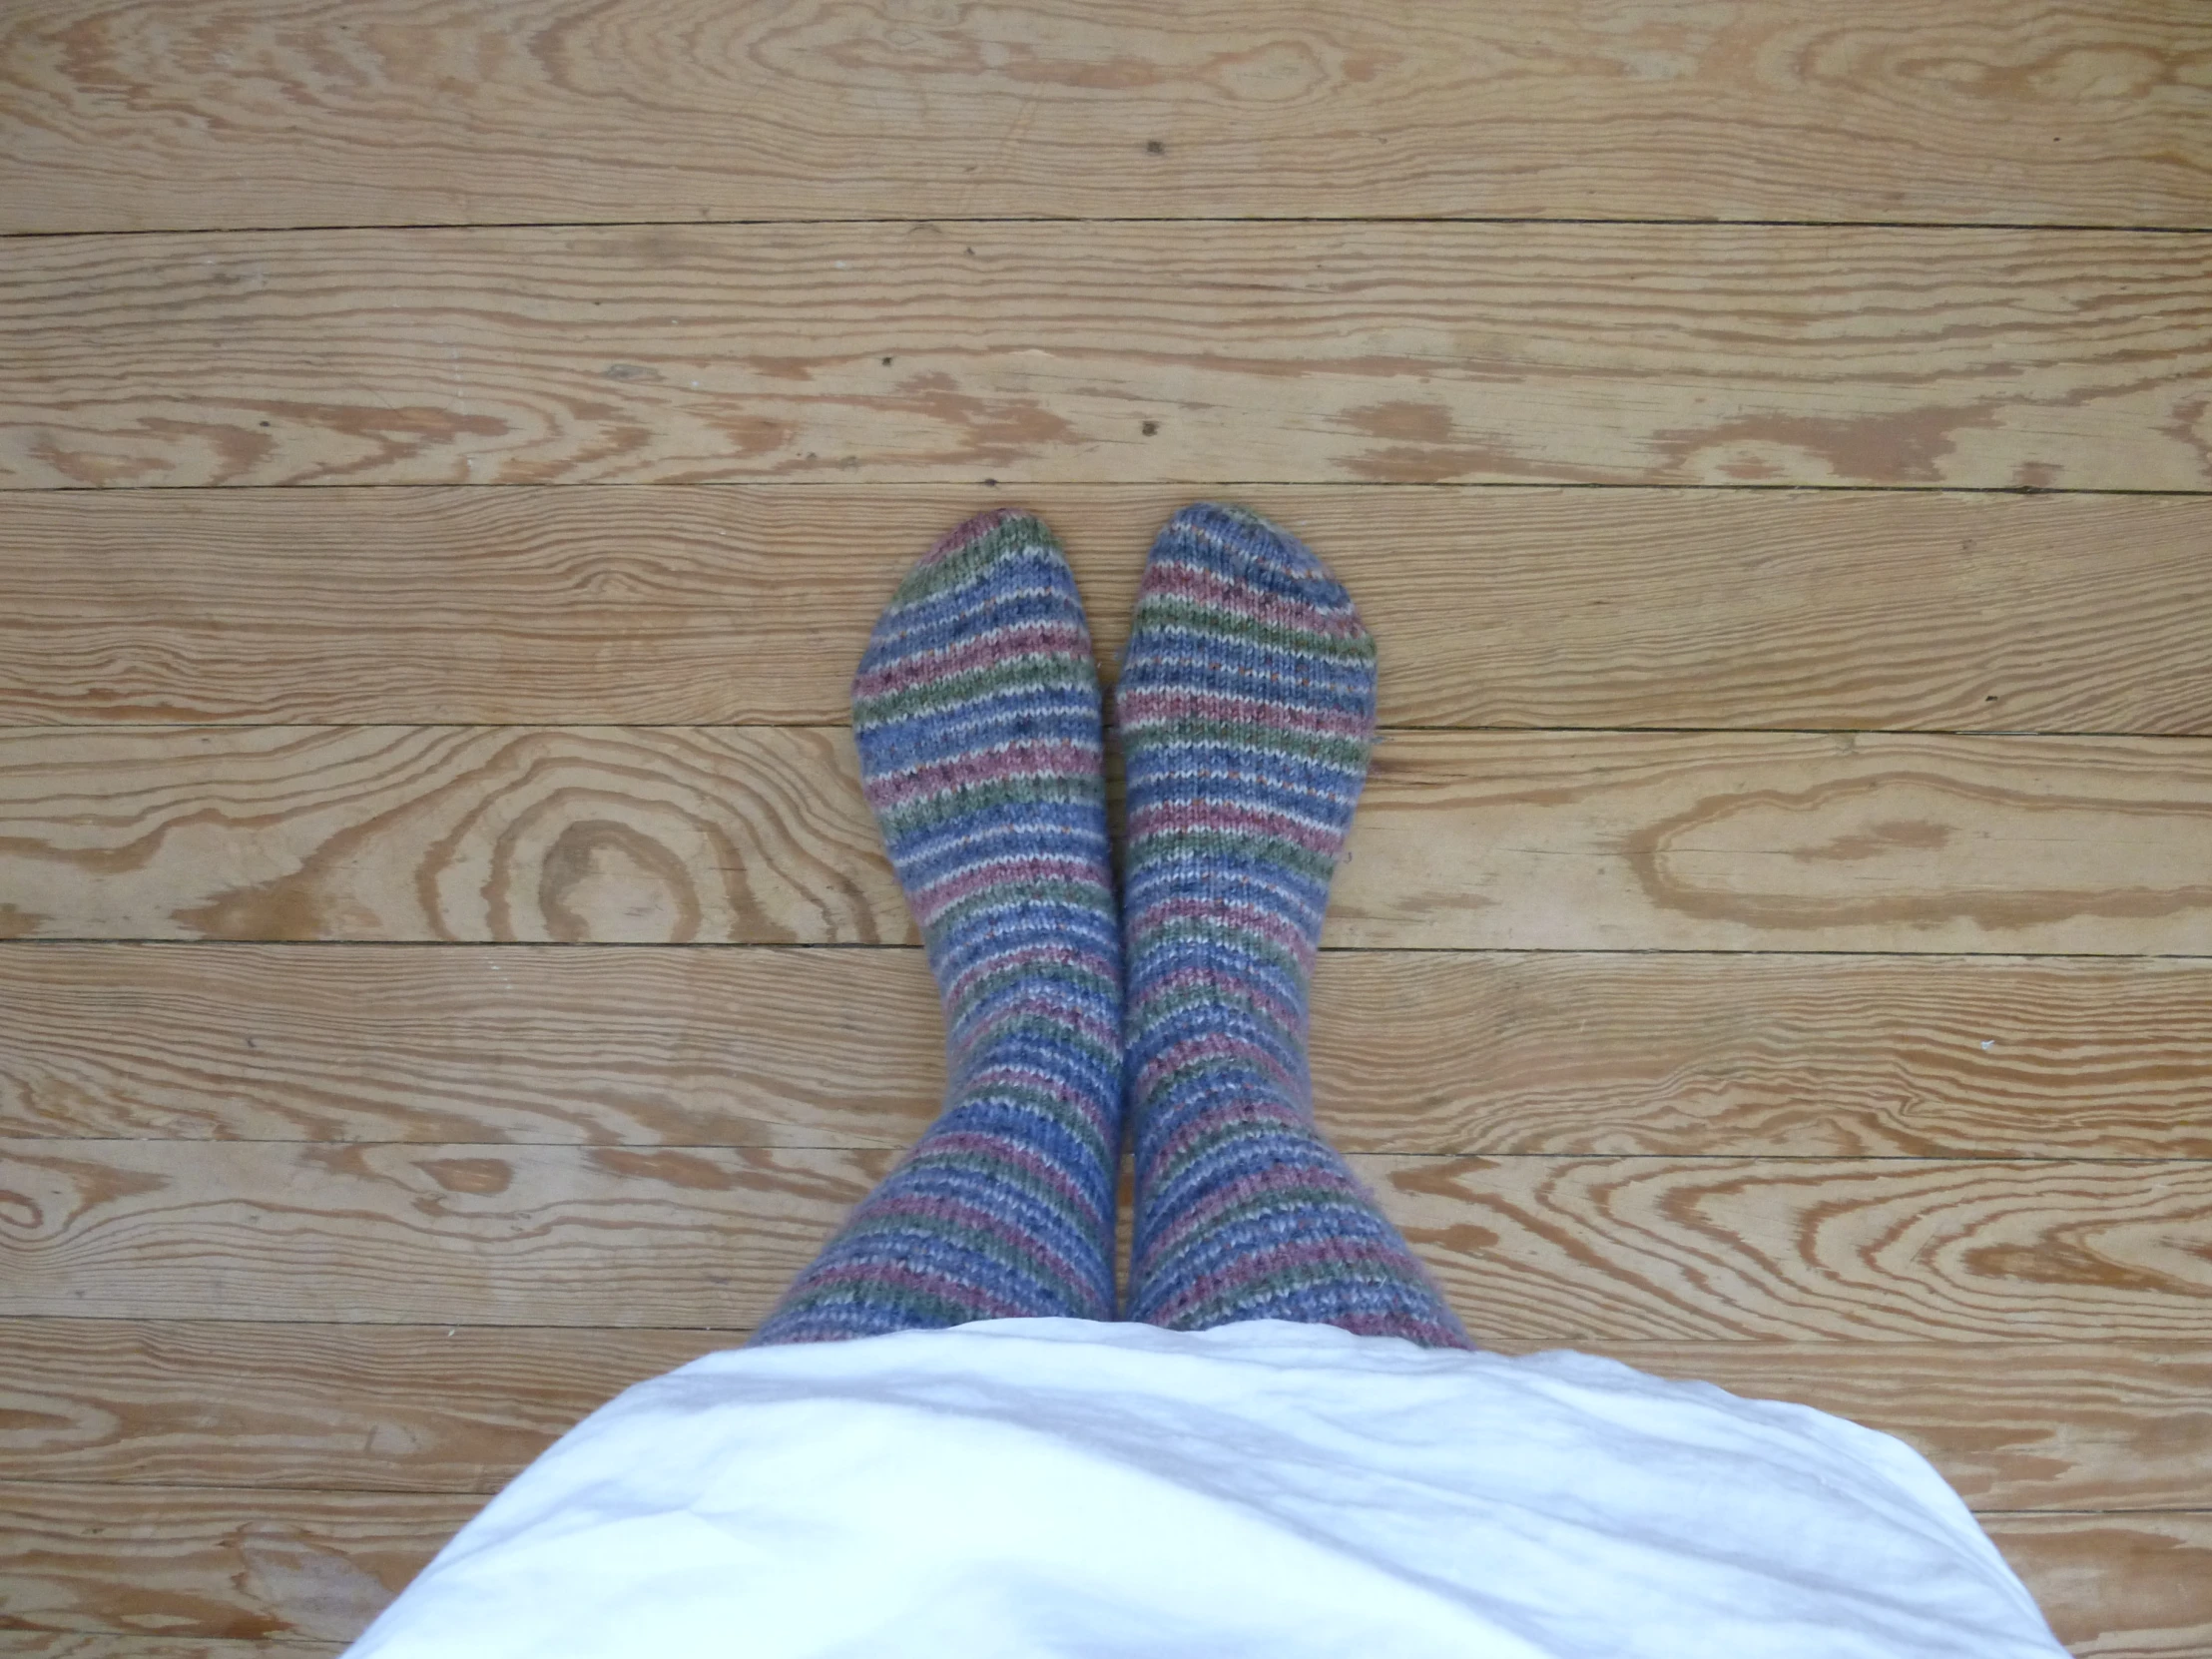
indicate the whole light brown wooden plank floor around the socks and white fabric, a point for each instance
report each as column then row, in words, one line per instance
column 452, row 455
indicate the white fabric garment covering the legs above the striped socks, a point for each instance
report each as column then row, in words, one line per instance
column 1118, row 1492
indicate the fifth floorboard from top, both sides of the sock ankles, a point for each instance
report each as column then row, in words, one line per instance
column 1419, row 1052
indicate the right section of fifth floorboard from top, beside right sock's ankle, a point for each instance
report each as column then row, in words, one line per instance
column 1780, row 1056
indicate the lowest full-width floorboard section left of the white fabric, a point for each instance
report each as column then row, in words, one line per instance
column 211, row 1563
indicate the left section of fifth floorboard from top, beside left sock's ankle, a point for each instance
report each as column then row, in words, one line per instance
column 430, row 1043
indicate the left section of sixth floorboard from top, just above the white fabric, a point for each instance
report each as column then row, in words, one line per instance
column 483, row 1235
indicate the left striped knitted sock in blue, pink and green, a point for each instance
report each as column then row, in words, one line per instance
column 977, row 713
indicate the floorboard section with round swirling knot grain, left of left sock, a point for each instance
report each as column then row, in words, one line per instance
column 665, row 835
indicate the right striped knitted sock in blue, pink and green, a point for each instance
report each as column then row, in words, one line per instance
column 1246, row 713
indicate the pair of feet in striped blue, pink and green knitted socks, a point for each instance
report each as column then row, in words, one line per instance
column 1176, row 1019
